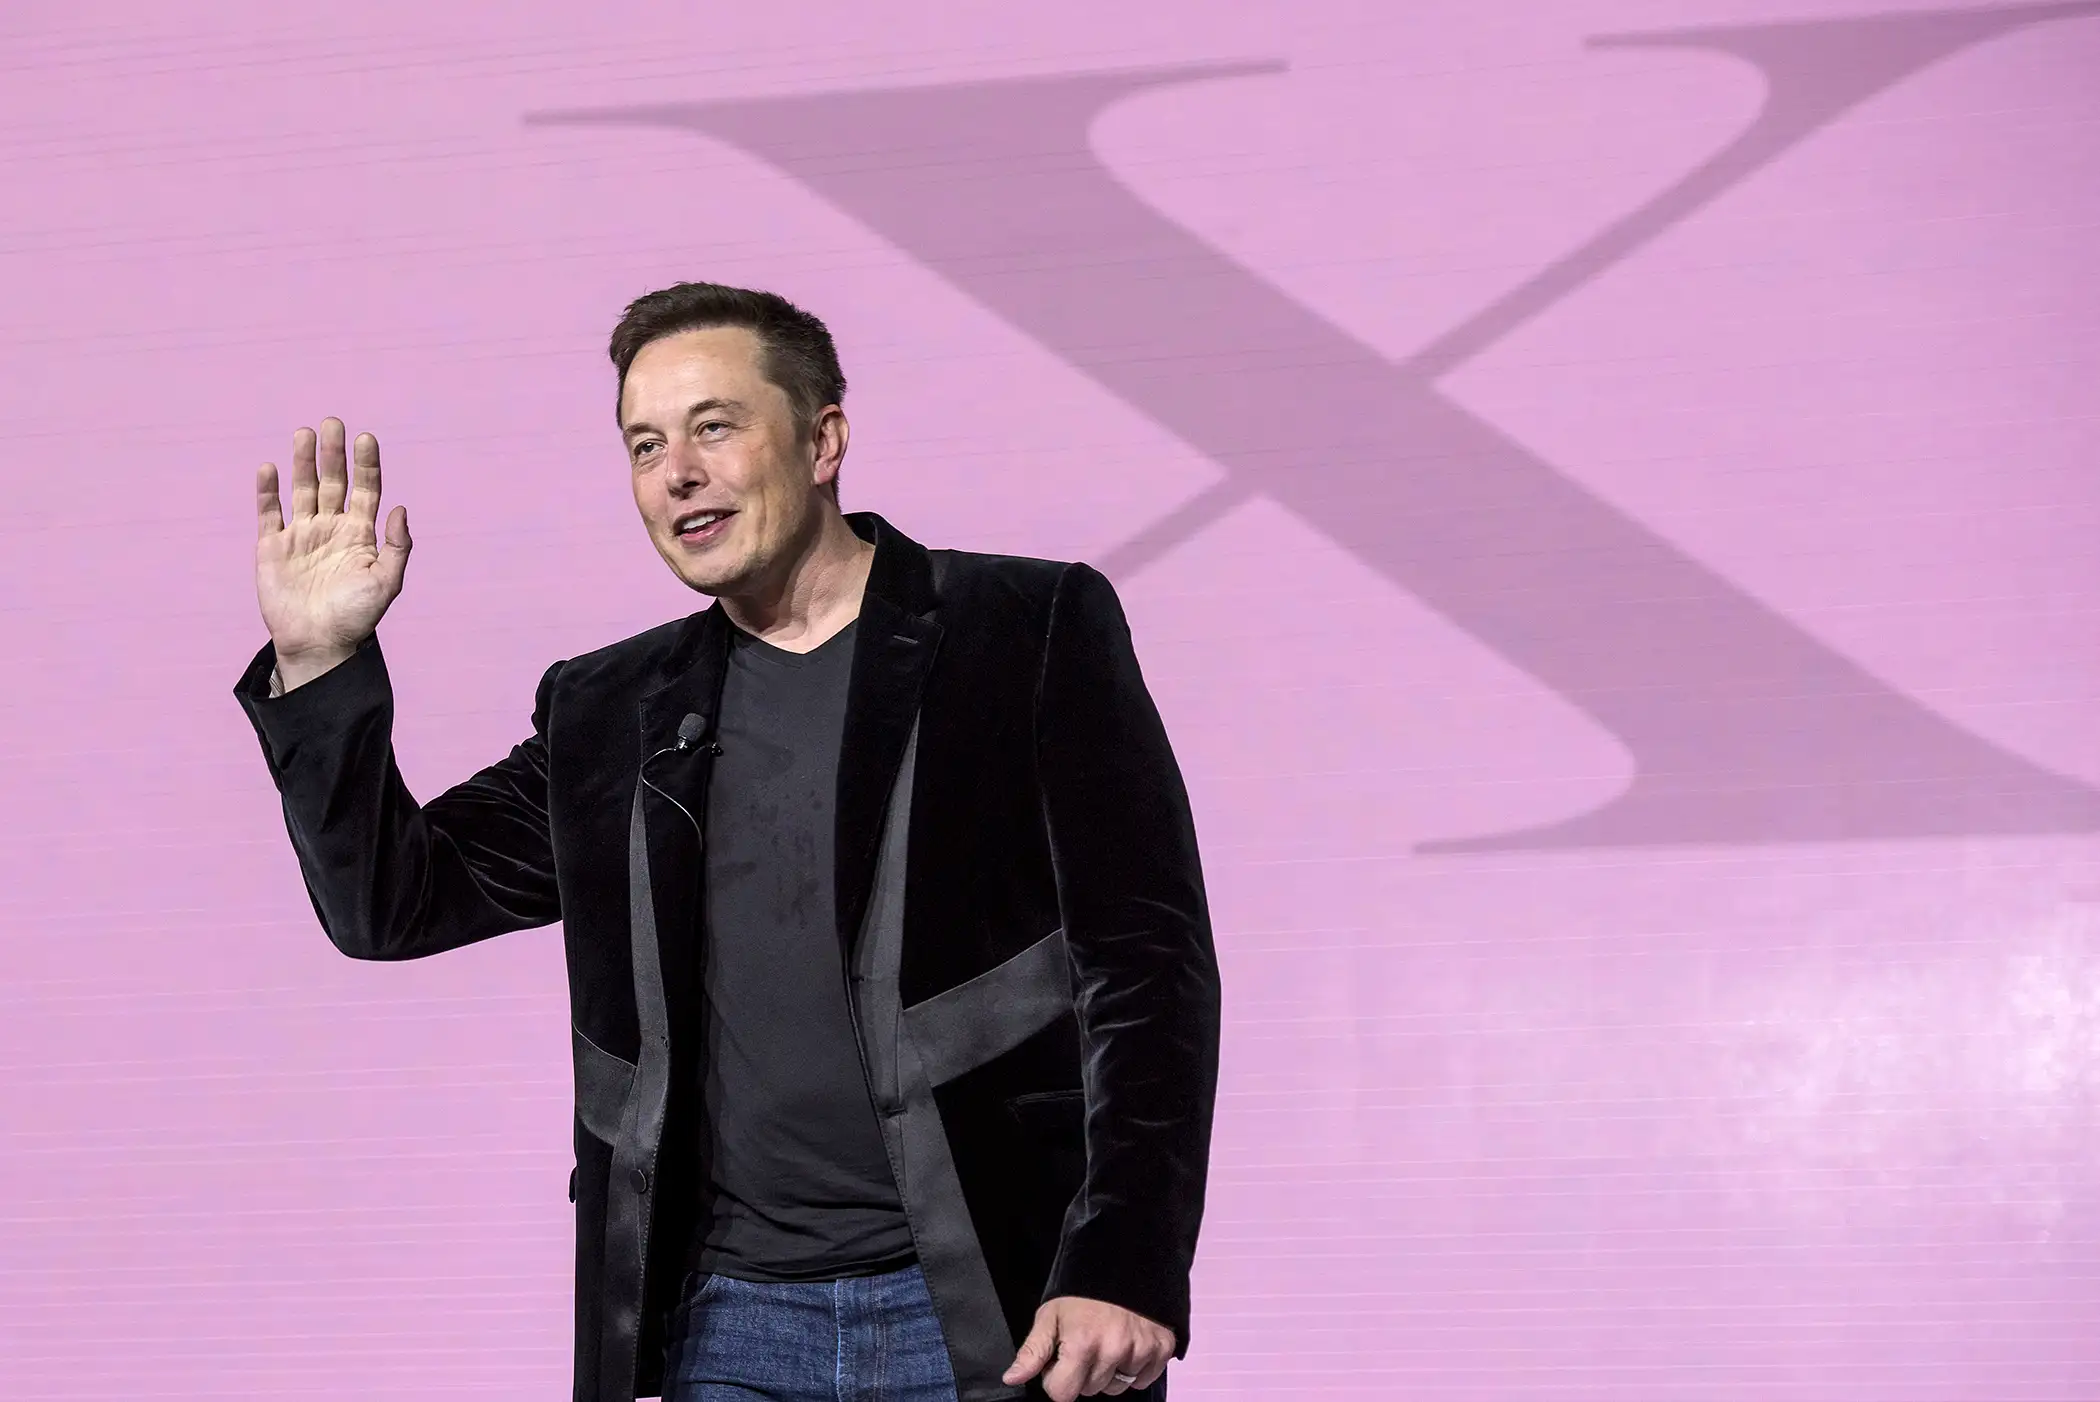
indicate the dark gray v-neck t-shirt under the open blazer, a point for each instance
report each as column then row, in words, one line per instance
column 797, row 1181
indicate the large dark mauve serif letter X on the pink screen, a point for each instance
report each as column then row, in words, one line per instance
column 1742, row 725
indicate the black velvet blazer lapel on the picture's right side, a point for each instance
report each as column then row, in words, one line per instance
column 891, row 662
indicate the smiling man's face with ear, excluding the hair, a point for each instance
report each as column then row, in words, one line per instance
column 726, row 484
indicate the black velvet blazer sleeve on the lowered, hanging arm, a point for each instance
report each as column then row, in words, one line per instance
column 1146, row 973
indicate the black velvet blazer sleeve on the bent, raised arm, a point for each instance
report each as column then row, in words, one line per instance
column 394, row 878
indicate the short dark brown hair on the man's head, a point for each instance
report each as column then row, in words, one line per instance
column 799, row 352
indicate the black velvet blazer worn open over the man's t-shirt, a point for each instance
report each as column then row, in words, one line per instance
column 1028, row 958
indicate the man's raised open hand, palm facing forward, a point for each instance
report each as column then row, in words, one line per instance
column 324, row 576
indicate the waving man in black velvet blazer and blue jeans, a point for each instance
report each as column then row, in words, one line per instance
column 894, row 998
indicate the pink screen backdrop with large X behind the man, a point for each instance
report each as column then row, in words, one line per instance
column 1605, row 496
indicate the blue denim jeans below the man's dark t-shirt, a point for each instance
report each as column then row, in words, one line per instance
column 860, row 1340
